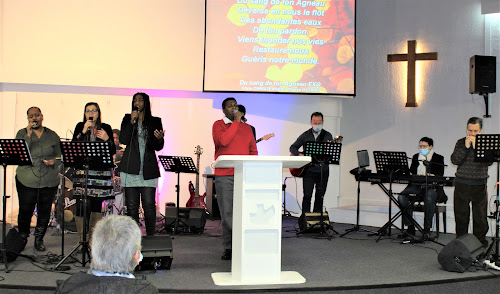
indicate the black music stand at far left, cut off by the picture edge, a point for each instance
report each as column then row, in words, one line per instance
column 12, row 152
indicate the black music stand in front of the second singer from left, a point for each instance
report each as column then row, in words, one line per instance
column 89, row 155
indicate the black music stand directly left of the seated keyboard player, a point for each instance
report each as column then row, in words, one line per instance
column 391, row 163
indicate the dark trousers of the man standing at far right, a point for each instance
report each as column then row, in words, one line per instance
column 463, row 196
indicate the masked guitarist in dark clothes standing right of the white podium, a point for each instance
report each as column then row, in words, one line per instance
column 312, row 178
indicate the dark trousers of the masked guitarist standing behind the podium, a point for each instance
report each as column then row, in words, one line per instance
column 311, row 180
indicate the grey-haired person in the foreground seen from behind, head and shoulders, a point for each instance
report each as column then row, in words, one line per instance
column 116, row 251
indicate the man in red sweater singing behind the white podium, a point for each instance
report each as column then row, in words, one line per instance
column 231, row 137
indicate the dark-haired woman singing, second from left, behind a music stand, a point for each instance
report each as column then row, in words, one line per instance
column 91, row 129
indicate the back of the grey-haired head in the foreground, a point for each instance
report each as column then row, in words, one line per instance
column 115, row 241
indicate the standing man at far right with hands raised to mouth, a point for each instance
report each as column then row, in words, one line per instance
column 470, row 184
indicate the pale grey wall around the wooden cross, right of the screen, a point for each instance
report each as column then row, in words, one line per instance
column 377, row 119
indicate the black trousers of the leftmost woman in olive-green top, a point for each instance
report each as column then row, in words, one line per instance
column 42, row 198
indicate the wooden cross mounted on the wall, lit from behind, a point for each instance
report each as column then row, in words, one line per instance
column 411, row 57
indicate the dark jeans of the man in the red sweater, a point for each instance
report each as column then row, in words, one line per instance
column 224, row 185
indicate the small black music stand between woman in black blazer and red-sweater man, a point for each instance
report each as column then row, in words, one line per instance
column 178, row 165
